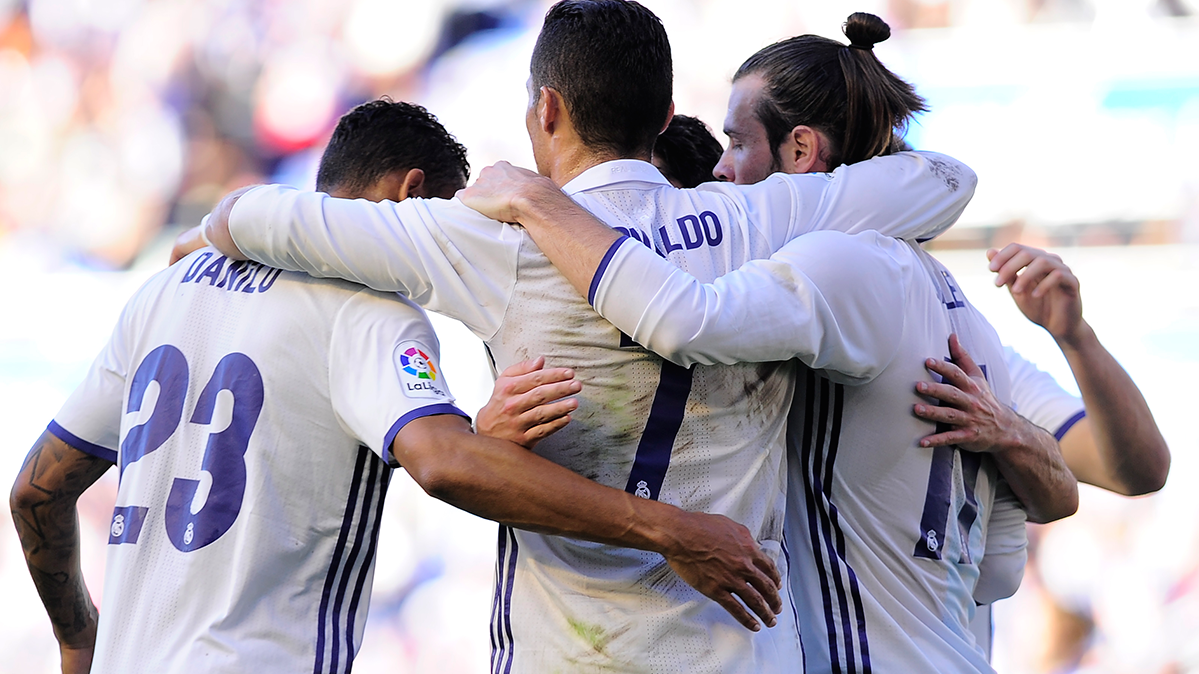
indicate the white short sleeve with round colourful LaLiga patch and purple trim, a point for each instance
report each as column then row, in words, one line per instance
column 385, row 370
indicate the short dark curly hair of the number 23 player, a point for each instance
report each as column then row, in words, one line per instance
column 385, row 136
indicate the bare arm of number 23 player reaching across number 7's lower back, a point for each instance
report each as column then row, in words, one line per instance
column 503, row 482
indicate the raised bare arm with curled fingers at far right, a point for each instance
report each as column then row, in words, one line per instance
column 1118, row 447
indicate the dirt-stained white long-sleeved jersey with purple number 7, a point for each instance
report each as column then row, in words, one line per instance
column 701, row 438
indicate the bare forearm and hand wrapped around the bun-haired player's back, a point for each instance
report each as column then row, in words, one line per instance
column 1027, row 455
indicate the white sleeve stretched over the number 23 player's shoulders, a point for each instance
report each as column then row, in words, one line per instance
column 442, row 255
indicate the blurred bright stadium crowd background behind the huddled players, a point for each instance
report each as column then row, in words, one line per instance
column 124, row 121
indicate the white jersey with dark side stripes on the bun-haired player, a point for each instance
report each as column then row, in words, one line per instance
column 887, row 539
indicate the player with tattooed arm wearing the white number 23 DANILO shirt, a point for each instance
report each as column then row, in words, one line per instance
column 256, row 416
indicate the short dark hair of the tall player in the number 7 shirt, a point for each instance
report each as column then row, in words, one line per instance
column 611, row 62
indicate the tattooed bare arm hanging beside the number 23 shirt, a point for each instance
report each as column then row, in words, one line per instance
column 44, row 509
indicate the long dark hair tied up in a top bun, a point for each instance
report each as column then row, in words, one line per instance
column 843, row 92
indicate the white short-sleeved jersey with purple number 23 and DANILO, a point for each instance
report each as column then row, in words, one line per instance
column 250, row 412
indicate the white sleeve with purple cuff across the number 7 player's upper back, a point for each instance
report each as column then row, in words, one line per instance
column 833, row 300
